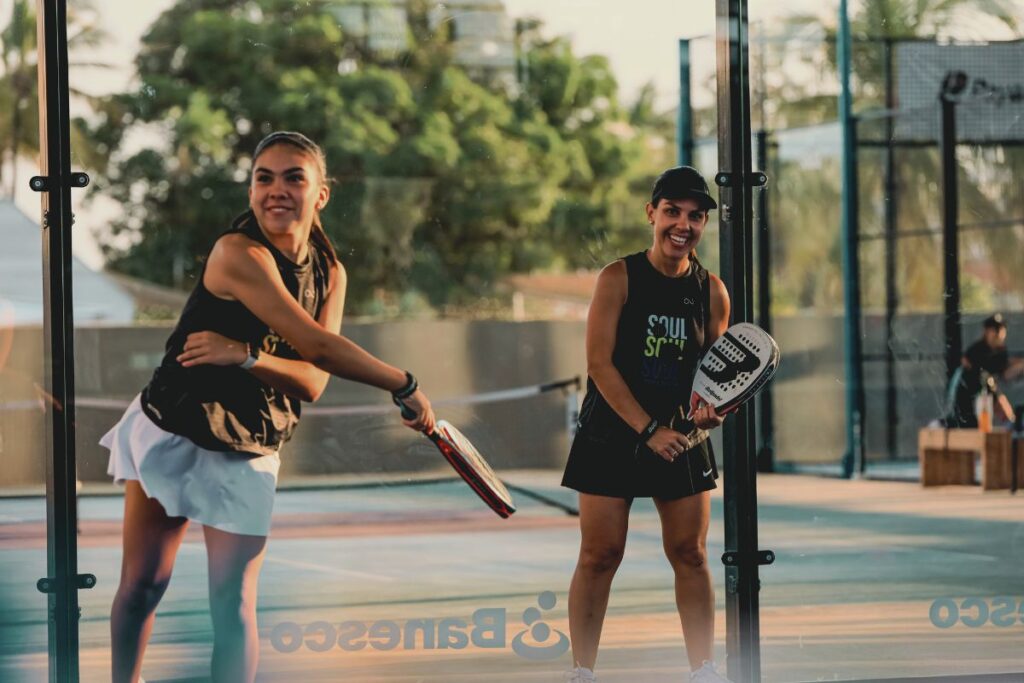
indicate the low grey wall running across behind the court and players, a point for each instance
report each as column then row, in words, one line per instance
column 487, row 378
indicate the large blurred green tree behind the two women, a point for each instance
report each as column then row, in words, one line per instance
column 445, row 181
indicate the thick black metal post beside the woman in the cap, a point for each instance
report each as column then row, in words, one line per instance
column 736, row 182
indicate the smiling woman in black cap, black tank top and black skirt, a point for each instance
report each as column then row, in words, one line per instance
column 653, row 315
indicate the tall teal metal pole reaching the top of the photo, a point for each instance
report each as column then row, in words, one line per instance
column 854, row 460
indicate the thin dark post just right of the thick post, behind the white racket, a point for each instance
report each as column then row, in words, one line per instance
column 766, row 449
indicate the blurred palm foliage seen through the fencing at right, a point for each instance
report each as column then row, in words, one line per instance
column 795, row 91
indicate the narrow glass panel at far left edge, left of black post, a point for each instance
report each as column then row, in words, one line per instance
column 23, row 359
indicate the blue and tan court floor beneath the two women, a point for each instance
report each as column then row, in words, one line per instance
column 423, row 584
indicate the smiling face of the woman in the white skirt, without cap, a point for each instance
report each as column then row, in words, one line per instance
column 286, row 191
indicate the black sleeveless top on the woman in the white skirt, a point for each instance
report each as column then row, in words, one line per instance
column 226, row 408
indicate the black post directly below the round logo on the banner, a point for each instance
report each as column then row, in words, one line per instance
column 951, row 246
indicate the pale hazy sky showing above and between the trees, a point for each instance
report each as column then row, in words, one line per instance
column 639, row 37
